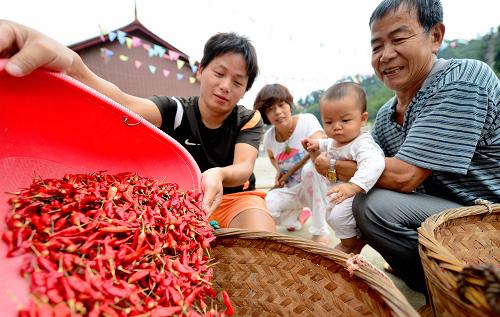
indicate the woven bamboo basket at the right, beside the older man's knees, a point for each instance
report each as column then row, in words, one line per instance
column 460, row 252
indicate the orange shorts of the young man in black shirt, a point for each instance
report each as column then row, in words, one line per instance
column 233, row 204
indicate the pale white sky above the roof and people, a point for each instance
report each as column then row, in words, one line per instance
column 304, row 45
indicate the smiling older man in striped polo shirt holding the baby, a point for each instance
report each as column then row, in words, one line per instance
column 440, row 133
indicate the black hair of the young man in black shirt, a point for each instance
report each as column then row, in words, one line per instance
column 223, row 43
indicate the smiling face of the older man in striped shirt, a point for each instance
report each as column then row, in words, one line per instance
column 402, row 52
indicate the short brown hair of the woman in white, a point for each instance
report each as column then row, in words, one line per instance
column 270, row 95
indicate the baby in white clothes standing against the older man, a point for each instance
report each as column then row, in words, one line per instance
column 343, row 112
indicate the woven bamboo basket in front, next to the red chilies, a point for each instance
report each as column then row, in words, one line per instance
column 268, row 274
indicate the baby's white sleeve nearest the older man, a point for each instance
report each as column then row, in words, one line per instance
column 371, row 163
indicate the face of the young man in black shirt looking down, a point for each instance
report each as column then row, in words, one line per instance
column 223, row 83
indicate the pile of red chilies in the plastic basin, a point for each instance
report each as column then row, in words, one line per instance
column 113, row 245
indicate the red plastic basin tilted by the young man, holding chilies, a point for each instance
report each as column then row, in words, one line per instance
column 50, row 125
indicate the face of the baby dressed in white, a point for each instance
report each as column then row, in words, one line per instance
column 342, row 118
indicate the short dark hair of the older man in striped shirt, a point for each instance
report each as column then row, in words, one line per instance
column 429, row 12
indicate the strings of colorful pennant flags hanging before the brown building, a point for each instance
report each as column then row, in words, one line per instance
column 153, row 50
